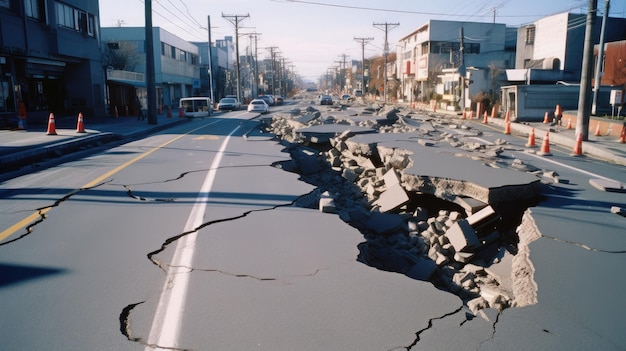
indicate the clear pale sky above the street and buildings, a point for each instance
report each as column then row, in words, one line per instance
column 312, row 35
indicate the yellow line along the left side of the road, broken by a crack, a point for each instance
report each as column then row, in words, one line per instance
column 40, row 213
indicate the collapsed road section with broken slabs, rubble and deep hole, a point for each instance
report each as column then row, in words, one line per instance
column 432, row 201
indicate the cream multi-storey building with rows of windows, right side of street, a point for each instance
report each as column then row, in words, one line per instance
column 430, row 61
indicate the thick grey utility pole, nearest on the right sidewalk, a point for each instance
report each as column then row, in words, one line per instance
column 584, row 106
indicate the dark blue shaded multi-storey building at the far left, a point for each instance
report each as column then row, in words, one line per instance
column 50, row 58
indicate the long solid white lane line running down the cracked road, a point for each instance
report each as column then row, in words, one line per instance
column 168, row 316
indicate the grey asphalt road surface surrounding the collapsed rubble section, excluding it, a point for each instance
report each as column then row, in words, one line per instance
column 191, row 239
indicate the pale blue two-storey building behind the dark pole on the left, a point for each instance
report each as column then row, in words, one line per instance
column 177, row 67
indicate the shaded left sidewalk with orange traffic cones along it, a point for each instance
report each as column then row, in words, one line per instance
column 20, row 147
